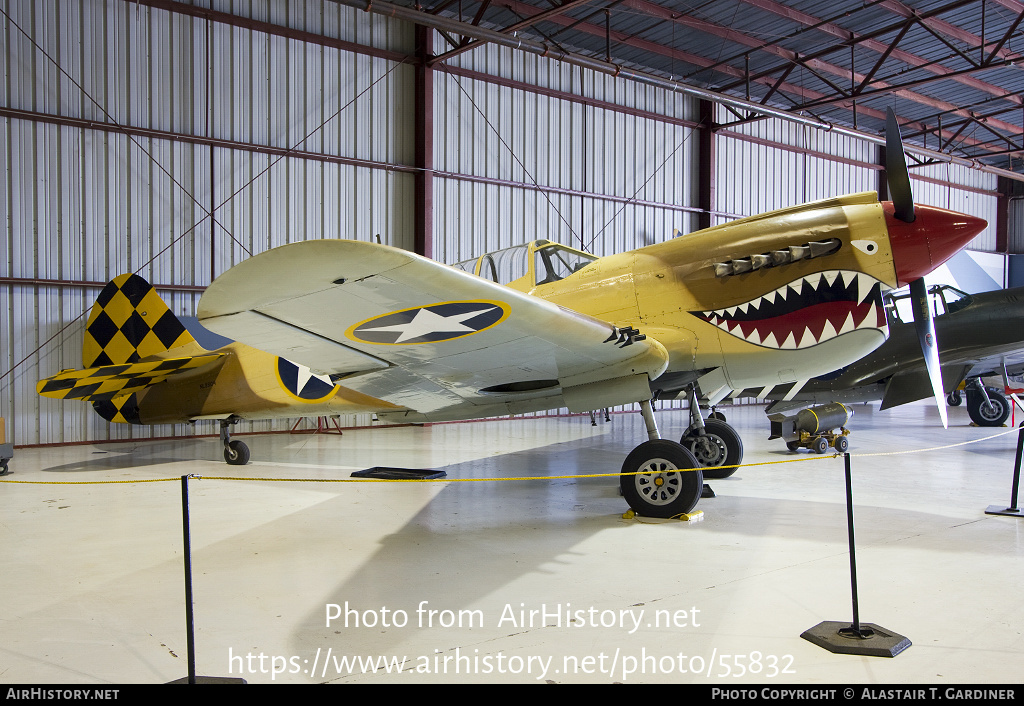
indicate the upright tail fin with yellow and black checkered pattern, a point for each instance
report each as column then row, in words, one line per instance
column 131, row 322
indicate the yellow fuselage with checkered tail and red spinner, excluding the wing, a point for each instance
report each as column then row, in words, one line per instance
column 770, row 300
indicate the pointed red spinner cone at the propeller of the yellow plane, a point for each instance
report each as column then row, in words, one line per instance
column 934, row 237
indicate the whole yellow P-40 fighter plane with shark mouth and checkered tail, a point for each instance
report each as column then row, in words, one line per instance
column 325, row 327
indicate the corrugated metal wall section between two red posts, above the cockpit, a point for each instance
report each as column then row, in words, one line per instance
column 518, row 164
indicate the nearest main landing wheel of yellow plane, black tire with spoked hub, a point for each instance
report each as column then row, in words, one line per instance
column 664, row 480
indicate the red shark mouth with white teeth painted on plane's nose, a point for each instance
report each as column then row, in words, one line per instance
column 806, row 312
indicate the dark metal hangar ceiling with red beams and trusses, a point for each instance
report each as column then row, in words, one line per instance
column 951, row 70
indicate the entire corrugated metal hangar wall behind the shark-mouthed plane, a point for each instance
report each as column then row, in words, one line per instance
column 525, row 148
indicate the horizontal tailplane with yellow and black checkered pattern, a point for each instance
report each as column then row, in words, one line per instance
column 109, row 382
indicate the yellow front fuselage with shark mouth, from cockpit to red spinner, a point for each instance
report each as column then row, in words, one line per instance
column 770, row 324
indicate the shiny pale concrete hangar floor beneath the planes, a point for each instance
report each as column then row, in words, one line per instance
column 453, row 578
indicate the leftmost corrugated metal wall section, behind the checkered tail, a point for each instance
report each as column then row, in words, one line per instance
column 201, row 181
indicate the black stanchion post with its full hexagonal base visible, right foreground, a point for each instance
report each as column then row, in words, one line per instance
column 845, row 639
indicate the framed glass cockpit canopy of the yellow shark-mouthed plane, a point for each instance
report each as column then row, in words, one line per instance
column 526, row 267
